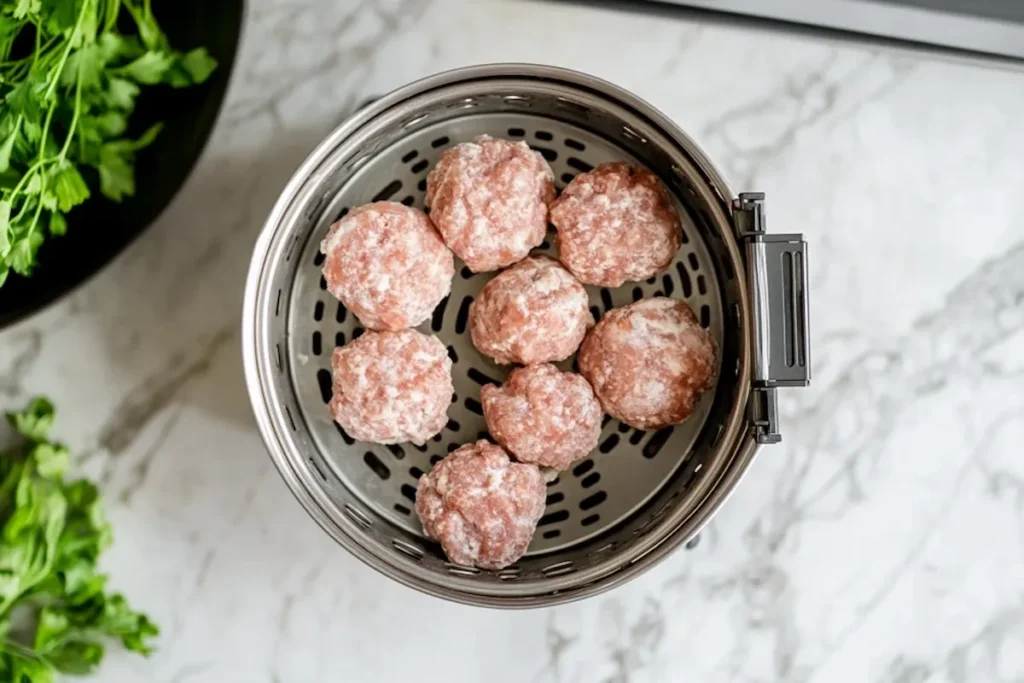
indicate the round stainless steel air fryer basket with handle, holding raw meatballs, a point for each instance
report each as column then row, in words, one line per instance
column 641, row 494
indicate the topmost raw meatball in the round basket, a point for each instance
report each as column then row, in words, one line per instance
column 490, row 200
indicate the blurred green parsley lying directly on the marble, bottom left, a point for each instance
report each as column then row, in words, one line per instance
column 56, row 614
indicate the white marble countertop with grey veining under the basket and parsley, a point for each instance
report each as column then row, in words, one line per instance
column 883, row 542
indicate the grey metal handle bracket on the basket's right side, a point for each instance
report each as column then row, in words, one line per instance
column 778, row 282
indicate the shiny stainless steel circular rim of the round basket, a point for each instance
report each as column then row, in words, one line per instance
column 675, row 529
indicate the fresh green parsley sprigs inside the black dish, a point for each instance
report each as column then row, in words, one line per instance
column 69, row 80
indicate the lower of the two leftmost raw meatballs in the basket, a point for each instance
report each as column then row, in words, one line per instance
column 392, row 388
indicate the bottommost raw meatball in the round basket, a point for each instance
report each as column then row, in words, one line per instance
column 481, row 506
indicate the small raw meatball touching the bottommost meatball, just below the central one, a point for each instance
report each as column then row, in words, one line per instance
column 544, row 416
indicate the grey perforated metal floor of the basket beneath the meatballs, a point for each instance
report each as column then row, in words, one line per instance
column 599, row 493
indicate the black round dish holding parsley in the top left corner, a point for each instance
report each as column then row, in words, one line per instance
column 100, row 230
